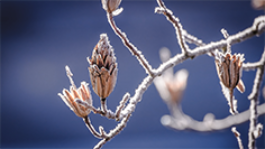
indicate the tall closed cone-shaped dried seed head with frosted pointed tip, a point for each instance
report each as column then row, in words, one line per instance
column 103, row 68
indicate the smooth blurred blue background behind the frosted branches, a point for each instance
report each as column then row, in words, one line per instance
column 38, row 38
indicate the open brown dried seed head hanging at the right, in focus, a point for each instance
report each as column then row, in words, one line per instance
column 229, row 69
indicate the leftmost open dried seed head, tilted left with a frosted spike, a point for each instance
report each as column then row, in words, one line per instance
column 70, row 97
